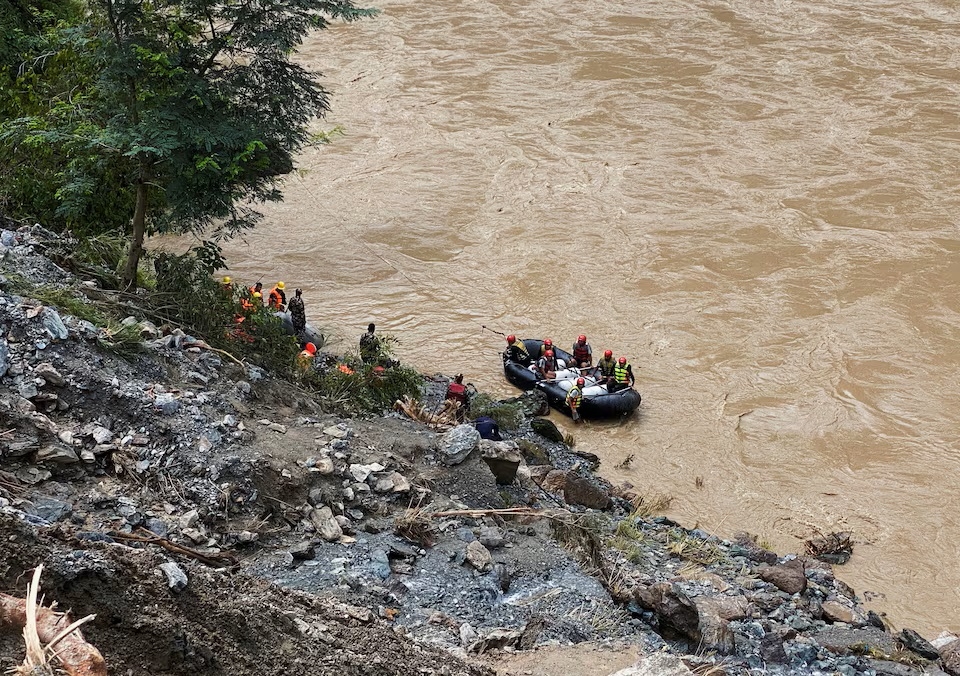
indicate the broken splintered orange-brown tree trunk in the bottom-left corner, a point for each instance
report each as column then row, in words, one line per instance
column 55, row 631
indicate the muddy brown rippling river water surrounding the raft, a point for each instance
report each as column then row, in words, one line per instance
column 756, row 202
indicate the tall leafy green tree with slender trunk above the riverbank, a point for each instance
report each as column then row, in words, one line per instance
column 190, row 109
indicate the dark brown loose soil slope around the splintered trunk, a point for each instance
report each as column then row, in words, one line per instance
column 222, row 623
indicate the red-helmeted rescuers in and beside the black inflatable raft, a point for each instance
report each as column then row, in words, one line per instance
column 613, row 374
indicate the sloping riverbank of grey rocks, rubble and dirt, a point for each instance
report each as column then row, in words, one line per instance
column 307, row 542
